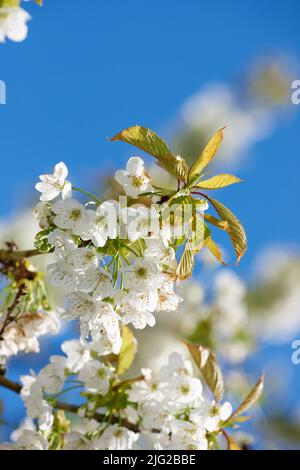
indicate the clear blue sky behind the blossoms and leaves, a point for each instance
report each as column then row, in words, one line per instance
column 89, row 69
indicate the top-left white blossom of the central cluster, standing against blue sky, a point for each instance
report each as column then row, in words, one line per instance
column 53, row 185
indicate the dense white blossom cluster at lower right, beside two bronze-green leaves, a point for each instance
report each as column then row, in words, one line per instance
column 174, row 411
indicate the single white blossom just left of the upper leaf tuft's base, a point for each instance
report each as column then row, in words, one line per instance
column 134, row 179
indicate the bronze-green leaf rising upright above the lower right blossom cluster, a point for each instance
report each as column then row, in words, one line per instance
column 207, row 363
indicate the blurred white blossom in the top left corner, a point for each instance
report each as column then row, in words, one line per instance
column 13, row 24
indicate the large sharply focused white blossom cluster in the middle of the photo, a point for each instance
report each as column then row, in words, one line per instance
column 110, row 279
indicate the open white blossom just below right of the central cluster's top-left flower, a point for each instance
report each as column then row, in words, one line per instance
column 70, row 214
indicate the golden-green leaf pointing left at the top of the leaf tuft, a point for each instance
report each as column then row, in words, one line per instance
column 148, row 141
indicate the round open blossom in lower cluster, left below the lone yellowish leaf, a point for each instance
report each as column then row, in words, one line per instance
column 96, row 377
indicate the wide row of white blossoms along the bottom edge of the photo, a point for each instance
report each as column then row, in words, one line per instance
column 169, row 411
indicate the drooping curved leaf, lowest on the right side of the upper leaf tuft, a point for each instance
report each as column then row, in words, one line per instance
column 236, row 230
